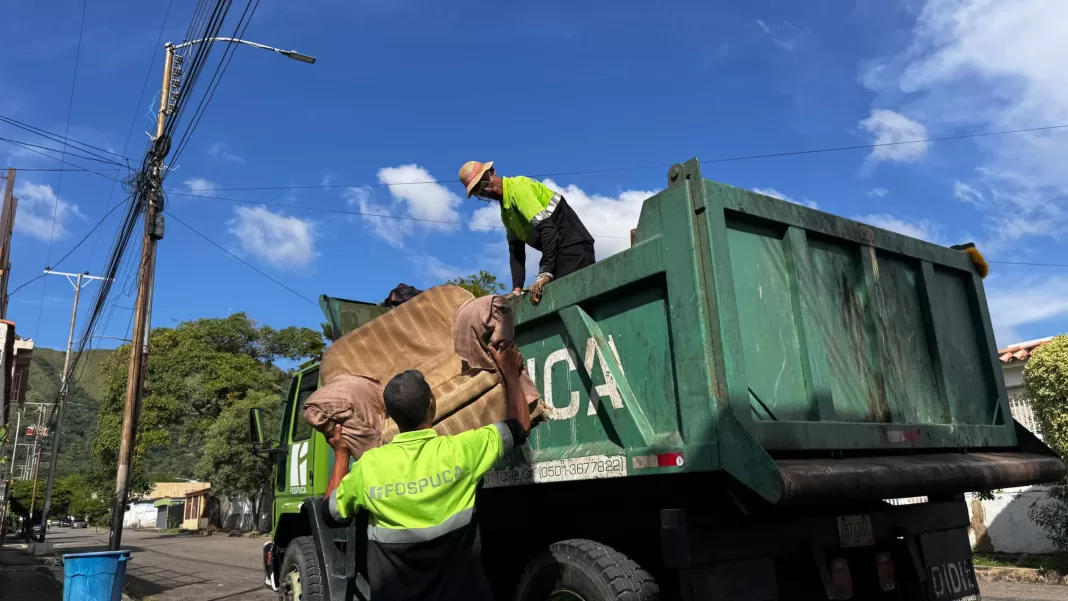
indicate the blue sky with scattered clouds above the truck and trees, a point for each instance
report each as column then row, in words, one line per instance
column 410, row 91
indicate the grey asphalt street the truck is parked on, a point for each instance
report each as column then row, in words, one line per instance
column 219, row 568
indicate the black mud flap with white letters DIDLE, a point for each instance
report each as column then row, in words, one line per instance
column 948, row 559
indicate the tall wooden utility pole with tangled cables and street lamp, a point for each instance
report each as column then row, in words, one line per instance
column 143, row 310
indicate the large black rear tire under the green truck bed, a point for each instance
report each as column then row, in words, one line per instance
column 584, row 571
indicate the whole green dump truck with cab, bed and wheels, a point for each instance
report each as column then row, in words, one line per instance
column 736, row 401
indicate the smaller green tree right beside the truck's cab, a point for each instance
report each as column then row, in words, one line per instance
column 230, row 466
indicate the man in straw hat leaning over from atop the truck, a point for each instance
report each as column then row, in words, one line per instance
column 537, row 216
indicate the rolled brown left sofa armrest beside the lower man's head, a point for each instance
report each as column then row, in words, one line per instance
column 355, row 403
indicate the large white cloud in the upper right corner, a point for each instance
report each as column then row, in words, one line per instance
column 968, row 68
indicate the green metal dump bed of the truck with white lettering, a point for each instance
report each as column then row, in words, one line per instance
column 742, row 330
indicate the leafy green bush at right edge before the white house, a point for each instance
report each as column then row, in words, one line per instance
column 1046, row 376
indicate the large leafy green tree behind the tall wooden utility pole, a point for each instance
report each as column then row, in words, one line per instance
column 196, row 372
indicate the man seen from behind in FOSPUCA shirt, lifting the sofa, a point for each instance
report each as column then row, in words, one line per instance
column 420, row 489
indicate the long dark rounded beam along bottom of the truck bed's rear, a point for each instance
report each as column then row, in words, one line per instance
column 866, row 479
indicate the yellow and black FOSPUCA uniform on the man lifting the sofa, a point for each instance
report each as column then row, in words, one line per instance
column 420, row 491
